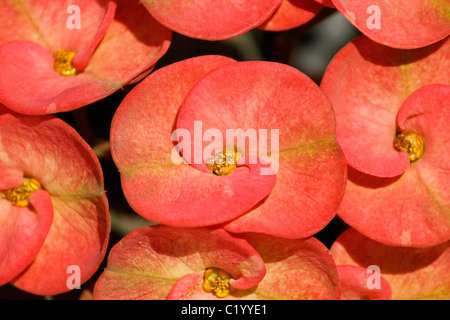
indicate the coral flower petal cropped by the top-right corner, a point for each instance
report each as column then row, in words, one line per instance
column 425, row 21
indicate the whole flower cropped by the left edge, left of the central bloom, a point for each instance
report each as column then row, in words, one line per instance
column 53, row 208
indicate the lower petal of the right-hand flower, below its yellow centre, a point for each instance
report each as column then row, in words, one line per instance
column 403, row 211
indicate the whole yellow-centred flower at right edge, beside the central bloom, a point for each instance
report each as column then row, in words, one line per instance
column 391, row 110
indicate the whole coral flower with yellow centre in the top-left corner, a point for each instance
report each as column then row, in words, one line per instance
column 50, row 64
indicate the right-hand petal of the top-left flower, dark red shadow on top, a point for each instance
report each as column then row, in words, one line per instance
column 135, row 39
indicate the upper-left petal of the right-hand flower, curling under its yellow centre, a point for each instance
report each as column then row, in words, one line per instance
column 367, row 83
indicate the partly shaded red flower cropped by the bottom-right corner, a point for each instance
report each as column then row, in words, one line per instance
column 401, row 273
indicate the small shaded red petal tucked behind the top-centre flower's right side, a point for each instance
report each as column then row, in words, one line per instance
column 291, row 14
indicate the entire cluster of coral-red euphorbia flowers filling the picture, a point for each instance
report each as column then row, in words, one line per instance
column 237, row 167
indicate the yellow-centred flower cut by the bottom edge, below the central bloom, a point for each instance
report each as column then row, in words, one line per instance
column 161, row 262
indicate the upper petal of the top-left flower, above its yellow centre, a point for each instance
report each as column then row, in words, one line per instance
column 49, row 23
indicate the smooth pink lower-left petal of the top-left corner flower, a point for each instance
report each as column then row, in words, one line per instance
column 42, row 90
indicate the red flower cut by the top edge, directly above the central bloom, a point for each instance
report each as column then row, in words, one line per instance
column 226, row 19
